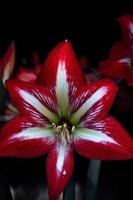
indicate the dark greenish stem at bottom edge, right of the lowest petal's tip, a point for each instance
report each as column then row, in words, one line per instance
column 69, row 192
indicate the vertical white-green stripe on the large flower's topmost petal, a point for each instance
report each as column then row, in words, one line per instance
column 62, row 89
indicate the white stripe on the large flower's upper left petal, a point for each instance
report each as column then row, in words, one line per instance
column 34, row 102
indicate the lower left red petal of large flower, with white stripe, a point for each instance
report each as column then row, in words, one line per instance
column 22, row 138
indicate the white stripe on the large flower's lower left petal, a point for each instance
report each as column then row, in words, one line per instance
column 33, row 133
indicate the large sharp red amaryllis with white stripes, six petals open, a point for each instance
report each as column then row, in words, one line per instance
column 61, row 115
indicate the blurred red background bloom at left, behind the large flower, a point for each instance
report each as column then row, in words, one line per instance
column 7, row 64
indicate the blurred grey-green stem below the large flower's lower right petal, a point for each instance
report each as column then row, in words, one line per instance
column 92, row 179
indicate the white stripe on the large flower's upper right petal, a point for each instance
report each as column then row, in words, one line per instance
column 100, row 93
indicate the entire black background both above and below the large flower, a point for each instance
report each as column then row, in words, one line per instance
column 92, row 28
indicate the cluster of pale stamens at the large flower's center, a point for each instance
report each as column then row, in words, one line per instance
column 63, row 132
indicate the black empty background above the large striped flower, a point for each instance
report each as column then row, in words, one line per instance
column 90, row 26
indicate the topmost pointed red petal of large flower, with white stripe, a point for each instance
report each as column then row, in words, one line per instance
column 60, row 71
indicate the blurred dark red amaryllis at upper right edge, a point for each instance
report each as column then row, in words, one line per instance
column 119, row 65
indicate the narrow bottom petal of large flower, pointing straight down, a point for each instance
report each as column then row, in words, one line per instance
column 59, row 169
